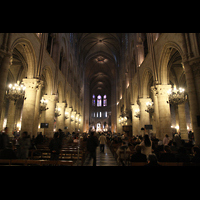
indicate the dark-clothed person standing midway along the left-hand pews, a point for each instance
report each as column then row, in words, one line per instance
column 55, row 146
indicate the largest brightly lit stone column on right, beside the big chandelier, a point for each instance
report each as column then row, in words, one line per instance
column 164, row 110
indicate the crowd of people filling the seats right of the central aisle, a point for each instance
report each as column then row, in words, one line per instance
column 150, row 149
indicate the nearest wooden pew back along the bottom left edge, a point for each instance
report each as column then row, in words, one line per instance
column 23, row 162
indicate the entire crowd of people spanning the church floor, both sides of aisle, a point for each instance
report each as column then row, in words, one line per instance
column 147, row 148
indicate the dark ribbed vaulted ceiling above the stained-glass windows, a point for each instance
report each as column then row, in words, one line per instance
column 99, row 53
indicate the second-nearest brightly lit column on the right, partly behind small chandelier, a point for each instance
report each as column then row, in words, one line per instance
column 144, row 116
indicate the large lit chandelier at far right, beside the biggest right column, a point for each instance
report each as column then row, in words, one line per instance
column 177, row 96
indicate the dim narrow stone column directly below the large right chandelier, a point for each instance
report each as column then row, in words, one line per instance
column 182, row 121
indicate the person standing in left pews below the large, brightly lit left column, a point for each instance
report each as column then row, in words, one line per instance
column 24, row 145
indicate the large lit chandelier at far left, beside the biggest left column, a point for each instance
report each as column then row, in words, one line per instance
column 15, row 91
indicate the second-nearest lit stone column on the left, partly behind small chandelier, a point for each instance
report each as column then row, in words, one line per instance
column 50, row 114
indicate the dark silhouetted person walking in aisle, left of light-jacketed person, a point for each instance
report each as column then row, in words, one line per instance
column 92, row 144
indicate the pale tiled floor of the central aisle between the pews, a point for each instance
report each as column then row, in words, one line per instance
column 102, row 159
